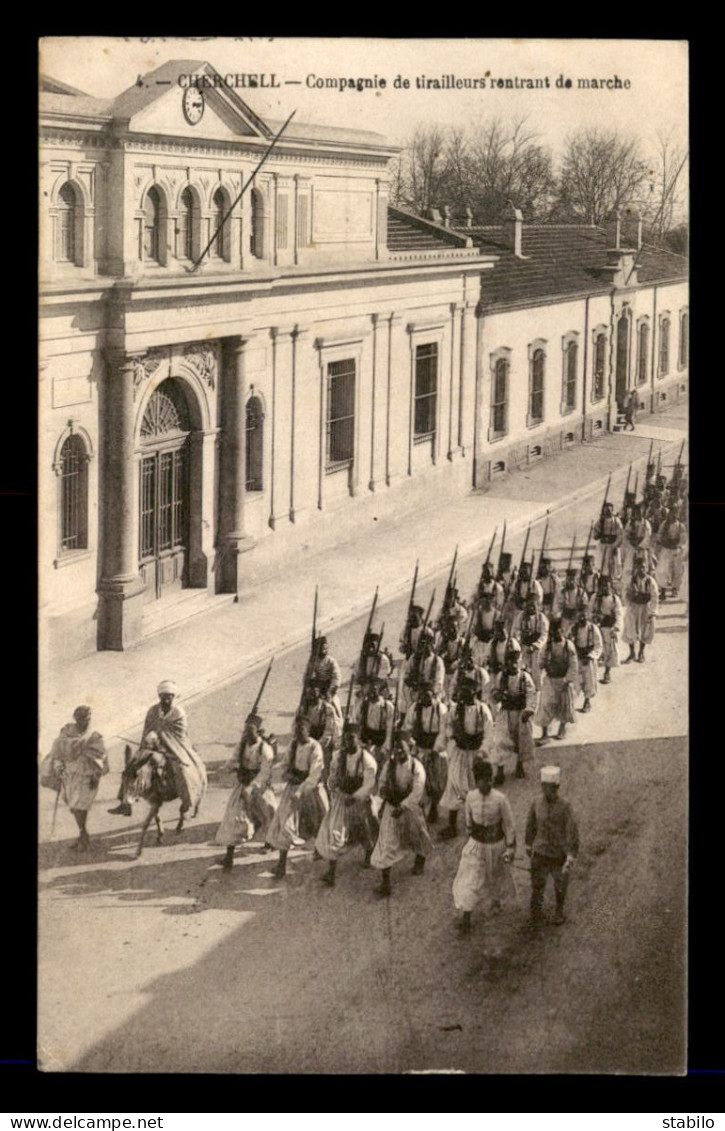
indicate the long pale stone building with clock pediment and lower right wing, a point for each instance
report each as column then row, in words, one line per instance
column 227, row 377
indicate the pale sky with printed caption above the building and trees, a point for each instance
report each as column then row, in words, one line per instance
column 657, row 99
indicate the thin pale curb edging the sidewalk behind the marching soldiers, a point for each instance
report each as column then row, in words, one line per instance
column 339, row 620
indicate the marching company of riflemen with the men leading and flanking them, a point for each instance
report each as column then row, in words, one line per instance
column 442, row 728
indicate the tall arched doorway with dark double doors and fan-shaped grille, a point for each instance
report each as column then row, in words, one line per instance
column 165, row 491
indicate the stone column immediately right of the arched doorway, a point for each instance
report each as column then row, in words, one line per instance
column 235, row 539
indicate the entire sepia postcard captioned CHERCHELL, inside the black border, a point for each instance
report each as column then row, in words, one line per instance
column 364, row 556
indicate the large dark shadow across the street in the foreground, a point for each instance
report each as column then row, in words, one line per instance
column 336, row 981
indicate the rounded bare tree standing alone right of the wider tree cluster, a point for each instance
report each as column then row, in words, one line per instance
column 601, row 171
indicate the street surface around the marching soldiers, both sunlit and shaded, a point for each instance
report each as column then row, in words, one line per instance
column 294, row 978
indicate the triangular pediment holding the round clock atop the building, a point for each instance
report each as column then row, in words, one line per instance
column 156, row 106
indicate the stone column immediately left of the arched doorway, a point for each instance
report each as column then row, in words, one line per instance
column 120, row 589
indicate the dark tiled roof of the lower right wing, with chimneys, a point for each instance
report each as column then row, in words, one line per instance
column 562, row 260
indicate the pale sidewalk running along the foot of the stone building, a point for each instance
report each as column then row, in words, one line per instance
column 213, row 650
